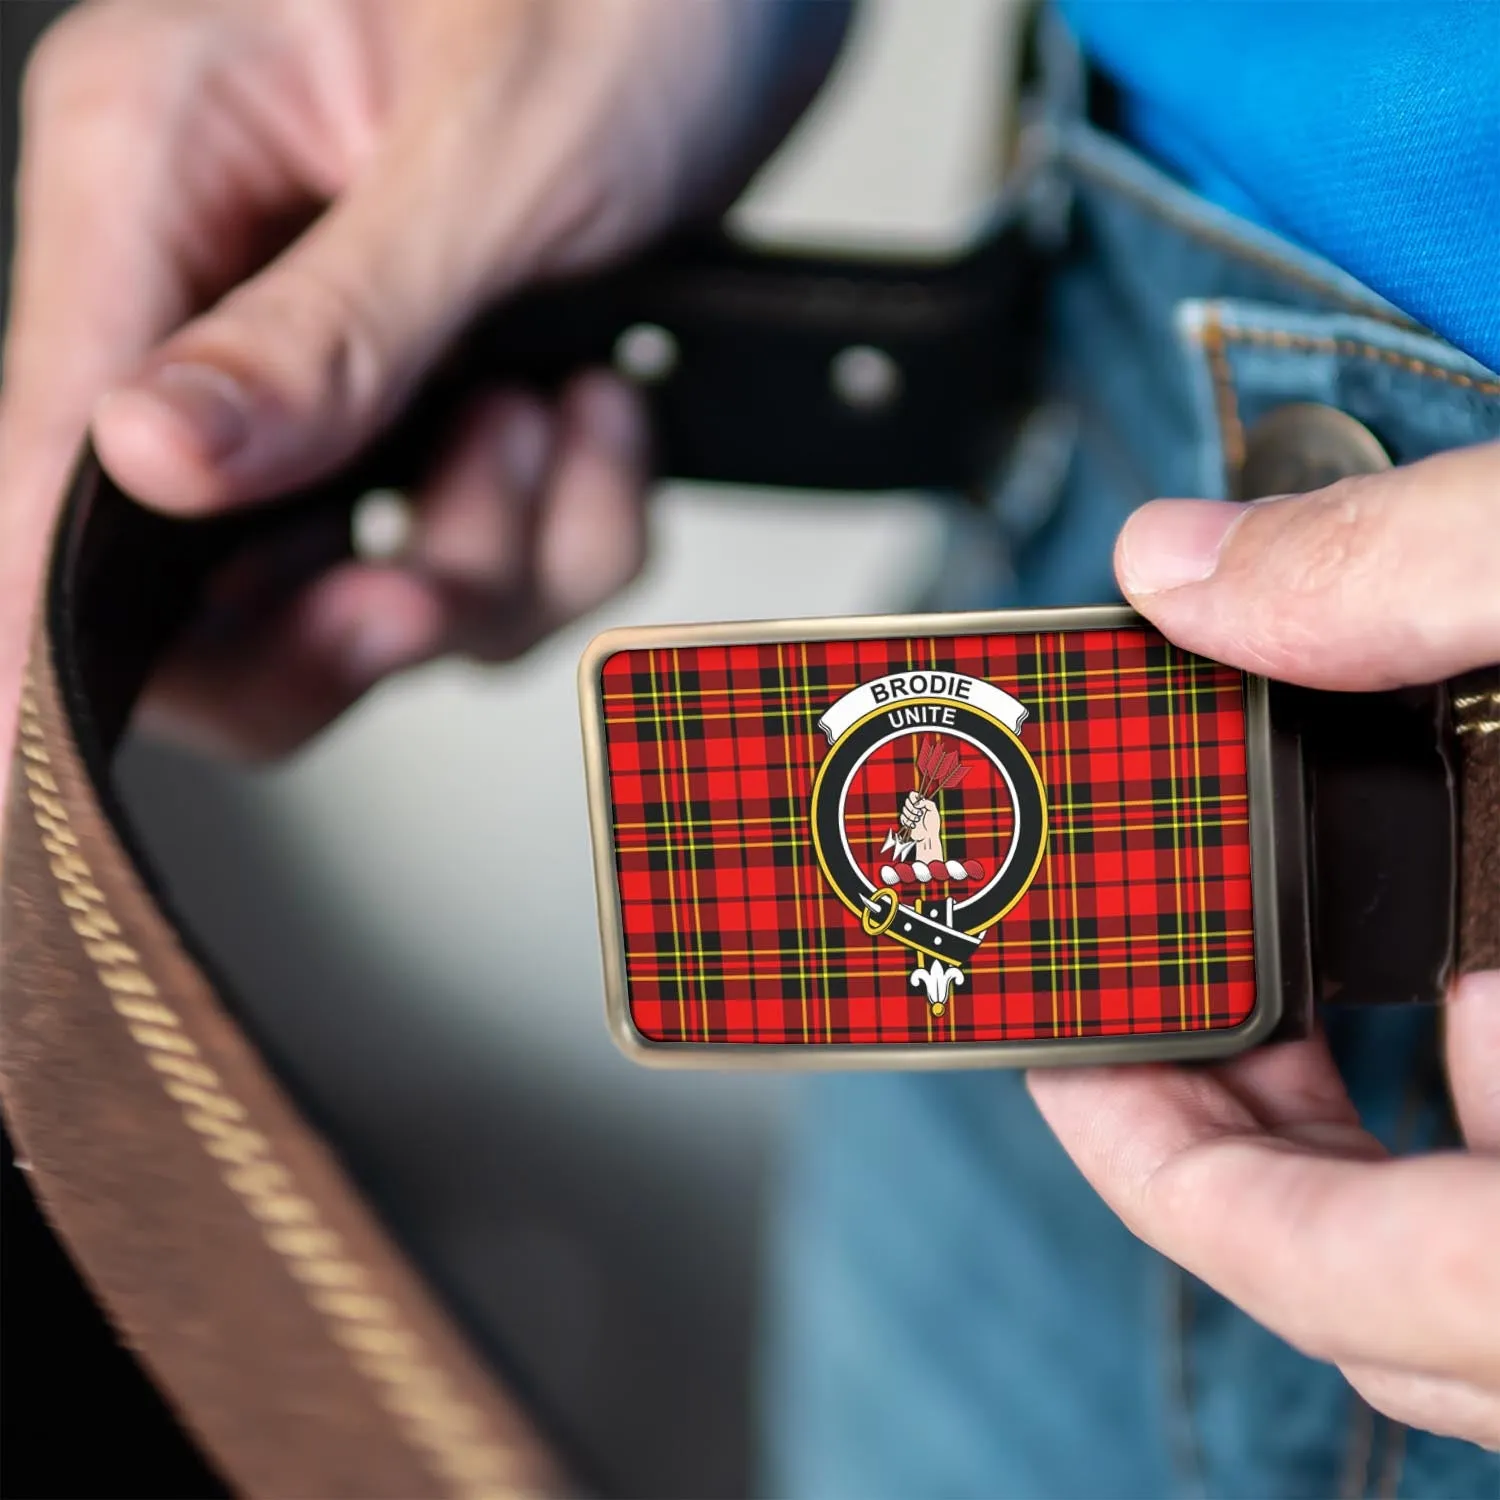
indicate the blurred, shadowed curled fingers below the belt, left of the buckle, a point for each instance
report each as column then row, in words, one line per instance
column 469, row 581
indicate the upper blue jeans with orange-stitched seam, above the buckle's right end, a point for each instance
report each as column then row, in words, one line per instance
column 1174, row 328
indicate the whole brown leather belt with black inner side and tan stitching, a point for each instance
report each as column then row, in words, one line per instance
column 211, row 1217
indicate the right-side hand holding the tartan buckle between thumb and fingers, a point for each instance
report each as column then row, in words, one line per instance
column 1256, row 1175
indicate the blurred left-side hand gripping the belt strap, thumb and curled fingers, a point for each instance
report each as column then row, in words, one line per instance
column 250, row 227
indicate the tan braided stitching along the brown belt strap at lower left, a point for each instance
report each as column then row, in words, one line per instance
column 367, row 1327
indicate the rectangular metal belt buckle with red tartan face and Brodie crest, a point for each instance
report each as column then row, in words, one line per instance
column 1030, row 838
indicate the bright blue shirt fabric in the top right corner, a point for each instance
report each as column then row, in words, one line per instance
column 1369, row 131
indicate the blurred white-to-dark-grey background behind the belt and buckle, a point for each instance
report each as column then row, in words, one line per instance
column 442, row 1001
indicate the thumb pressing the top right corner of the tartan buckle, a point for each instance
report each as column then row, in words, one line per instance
column 1375, row 583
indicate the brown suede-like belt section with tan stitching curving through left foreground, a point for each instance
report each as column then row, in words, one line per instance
column 220, row 1231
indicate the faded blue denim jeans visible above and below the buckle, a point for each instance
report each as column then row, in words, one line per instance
column 952, row 1309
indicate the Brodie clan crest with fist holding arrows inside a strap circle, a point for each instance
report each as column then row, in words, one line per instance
column 929, row 818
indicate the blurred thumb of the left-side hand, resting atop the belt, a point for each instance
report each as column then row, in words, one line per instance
column 293, row 371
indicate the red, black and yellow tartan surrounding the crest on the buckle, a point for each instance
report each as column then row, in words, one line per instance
column 1138, row 923
